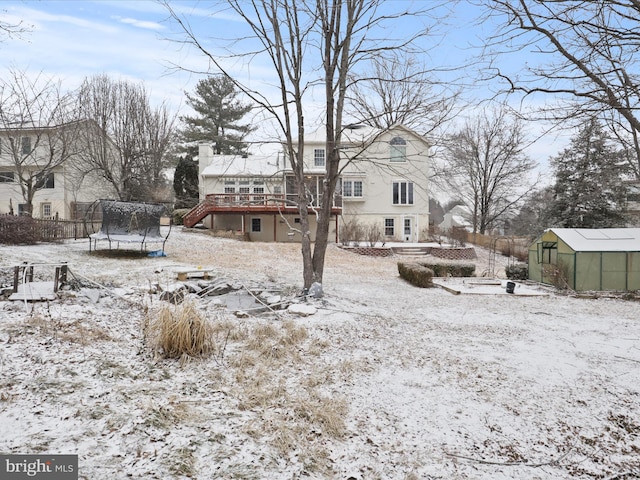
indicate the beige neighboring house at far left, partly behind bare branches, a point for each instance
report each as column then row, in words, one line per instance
column 65, row 191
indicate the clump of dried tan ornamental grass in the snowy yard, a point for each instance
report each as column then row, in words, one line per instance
column 180, row 330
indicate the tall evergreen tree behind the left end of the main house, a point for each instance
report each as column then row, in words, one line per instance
column 218, row 112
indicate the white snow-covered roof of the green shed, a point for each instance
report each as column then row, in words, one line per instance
column 600, row 239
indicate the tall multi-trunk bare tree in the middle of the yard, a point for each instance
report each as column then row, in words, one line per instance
column 311, row 43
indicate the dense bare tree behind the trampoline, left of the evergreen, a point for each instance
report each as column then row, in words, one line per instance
column 129, row 149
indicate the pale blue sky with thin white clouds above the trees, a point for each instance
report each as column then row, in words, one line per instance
column 135, row 40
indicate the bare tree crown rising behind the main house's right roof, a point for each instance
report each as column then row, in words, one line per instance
column 400, row 91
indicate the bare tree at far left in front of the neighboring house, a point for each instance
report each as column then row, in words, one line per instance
column 38, row 131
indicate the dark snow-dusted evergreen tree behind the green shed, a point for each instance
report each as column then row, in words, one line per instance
column 588, row 192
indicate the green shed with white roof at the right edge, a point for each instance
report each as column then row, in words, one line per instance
column 582, row 259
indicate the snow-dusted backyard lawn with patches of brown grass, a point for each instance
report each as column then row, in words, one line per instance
column 385, row 381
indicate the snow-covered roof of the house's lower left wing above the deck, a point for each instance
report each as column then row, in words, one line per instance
column 239, row 166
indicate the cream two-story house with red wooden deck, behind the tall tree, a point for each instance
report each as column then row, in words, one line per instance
column 384, row 183
